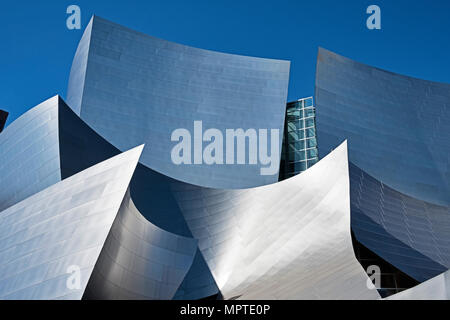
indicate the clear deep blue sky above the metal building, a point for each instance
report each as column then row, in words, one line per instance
column 37, row 48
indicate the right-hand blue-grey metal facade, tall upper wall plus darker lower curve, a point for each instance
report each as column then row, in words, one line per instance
column 398, row 132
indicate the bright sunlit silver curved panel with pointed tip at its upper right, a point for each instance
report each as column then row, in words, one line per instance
column 289, row 240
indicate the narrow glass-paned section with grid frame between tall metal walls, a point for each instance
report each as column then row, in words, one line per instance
column 299, row 150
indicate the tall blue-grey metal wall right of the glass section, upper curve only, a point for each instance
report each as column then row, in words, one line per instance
column 398, row 128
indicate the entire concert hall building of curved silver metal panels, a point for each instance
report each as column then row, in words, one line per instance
column 358, row 206
